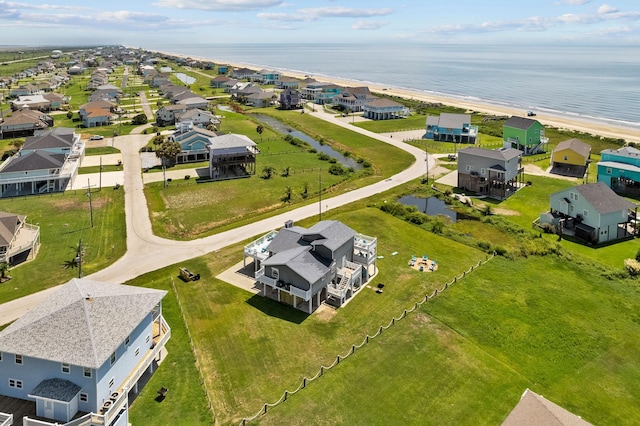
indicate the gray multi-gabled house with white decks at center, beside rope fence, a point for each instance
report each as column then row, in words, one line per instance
column 305, row 267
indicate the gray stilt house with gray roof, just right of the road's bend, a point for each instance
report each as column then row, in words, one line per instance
column 497, row 173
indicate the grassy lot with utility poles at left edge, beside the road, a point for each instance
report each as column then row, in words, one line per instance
column 63, row 220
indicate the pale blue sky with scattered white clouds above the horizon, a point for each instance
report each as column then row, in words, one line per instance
column 152, row 23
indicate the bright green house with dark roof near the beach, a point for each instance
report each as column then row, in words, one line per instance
column 524, row 134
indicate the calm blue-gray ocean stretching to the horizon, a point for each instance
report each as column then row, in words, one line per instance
column 600, row 83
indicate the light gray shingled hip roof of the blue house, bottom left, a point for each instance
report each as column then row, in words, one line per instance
column 81, row 324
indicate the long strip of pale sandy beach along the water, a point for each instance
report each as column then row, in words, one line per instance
column 580, row 124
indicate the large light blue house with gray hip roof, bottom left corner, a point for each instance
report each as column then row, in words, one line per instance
column 83, row 351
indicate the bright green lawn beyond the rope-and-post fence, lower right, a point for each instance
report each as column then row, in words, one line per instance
column 467, row 355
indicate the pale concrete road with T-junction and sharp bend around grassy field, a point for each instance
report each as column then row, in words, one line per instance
column 147, row 252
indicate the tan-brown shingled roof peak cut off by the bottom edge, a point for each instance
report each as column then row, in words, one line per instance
column 534, row 409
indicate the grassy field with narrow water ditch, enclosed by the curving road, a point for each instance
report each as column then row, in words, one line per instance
column 187, row 210
